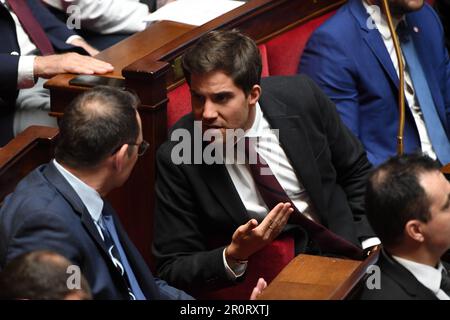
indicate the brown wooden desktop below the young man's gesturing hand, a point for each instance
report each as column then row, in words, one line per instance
column 309, row 277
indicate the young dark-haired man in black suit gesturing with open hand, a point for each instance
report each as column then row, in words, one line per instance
column 211, row 217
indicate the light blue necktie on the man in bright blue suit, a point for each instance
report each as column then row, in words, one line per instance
column 434, row 126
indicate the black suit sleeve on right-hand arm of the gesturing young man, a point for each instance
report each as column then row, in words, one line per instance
column 348, row 158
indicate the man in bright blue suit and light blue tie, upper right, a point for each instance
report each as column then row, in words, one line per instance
column 353, row 60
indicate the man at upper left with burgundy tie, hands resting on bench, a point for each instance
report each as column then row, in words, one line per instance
column 35, row 45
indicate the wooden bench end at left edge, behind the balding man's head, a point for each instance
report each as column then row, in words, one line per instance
column 31, row 148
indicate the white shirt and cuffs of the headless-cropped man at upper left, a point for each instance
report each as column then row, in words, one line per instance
column 28, row 52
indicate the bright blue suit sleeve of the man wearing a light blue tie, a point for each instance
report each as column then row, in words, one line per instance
column 325, row 61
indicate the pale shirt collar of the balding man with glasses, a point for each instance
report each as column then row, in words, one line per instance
column 88, row 195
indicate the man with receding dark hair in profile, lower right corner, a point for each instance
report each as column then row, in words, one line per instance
column 408, row 206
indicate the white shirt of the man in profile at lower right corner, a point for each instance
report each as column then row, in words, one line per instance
column 427, row 275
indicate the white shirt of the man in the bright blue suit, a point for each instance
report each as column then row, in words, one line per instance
column 410, row 96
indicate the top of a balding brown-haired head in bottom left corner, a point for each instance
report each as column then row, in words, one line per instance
column 42, row 275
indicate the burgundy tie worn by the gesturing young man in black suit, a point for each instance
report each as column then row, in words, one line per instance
column 272, row 194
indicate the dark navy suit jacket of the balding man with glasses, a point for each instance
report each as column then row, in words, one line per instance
column 44, row 212
